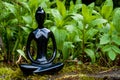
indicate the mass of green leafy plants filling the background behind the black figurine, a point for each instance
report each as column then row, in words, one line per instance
column 85, row 33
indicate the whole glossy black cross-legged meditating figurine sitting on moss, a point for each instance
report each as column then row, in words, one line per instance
column 41, row 36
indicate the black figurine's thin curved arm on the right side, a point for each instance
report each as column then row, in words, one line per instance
column 54, row 47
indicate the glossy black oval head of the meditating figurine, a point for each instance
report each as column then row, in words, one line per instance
column 40, row 15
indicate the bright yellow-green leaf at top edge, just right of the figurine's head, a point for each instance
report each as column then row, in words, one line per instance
column 61, row 7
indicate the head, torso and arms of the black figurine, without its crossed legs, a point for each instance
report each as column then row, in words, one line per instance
column 41, row 35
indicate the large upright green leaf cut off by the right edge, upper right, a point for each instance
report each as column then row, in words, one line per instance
column 116, row 19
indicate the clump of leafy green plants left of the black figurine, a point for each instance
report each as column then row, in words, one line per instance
column 14, row 27
